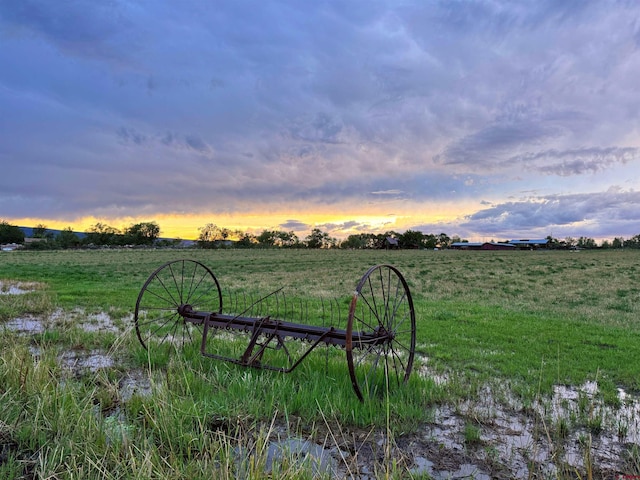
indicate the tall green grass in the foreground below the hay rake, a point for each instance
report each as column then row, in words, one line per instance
column 193, row 423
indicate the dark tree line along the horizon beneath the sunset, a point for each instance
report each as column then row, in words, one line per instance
column 147, row 234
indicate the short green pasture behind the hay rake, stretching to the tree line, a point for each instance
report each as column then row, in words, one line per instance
column 487, row 313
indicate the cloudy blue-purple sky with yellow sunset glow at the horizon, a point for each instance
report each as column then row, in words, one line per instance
column 483, row 119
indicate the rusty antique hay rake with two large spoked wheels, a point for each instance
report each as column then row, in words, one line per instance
column 181, row 303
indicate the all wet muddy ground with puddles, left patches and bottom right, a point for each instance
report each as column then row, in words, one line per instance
column 568, row 435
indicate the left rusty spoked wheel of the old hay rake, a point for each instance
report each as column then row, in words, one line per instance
column 172, row 287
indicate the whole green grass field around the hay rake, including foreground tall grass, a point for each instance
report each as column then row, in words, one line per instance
column 529, row 320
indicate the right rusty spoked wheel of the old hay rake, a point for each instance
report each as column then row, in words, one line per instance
column 381, row 332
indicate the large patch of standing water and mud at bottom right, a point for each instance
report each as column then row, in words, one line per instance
column 573, row 431
